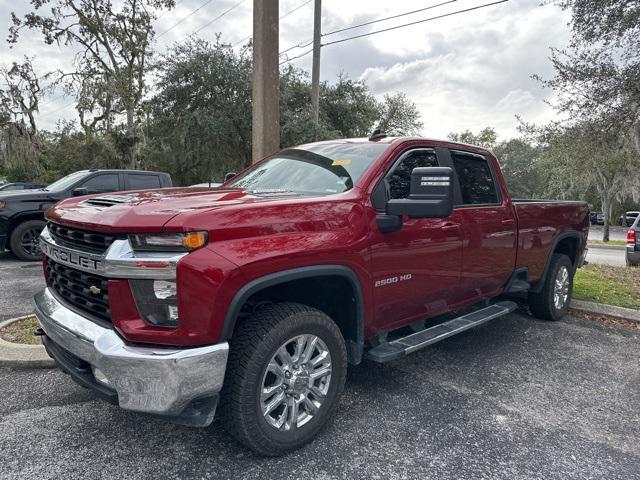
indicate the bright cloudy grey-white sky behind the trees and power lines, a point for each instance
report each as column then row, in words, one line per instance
column 466, row 71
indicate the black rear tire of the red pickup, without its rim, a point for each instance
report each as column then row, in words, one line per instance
column 542, row 304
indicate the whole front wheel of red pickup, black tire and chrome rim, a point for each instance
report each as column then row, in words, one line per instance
column 286, row 369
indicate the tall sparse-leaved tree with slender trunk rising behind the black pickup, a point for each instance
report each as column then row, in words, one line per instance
column 113, row 54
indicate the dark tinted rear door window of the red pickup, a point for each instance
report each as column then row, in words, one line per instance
column 476, row 182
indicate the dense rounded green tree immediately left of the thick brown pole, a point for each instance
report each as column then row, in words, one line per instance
column 200, row 120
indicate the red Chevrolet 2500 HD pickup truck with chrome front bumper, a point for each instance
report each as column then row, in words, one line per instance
column 252, row 298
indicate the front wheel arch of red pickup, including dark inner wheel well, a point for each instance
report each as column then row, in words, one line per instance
column 351, row 324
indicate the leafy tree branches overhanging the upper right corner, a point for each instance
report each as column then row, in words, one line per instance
column 597, row 76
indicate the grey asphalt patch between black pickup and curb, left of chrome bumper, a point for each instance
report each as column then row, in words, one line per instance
column 19, row 281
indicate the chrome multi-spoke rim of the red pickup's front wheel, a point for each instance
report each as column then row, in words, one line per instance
column 296, row 382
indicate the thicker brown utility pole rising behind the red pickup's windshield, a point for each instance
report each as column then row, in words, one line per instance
column 266, row 79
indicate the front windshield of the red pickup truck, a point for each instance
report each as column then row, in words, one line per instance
column 323, row 169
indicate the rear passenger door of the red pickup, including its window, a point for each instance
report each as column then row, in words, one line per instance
column 488, row 226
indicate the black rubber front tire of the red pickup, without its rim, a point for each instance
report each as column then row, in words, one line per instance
column 252, row 347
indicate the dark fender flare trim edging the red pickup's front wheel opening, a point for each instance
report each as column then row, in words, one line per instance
column 284, row 276
